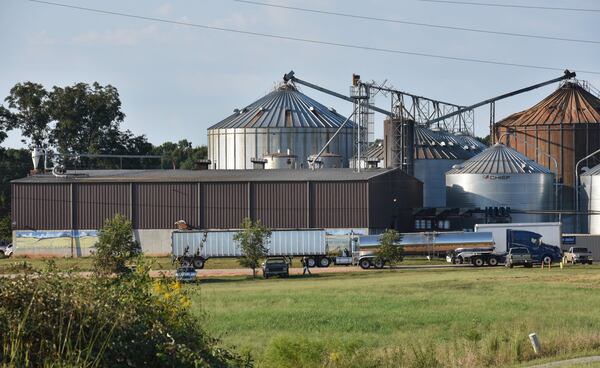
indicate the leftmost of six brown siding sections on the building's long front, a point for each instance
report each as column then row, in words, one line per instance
column 41, row 206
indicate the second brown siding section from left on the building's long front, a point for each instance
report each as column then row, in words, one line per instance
column 95, row 202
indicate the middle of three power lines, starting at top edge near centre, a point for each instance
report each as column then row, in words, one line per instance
column 398, row 21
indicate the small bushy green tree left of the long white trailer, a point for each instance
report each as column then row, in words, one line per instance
column 115, row 246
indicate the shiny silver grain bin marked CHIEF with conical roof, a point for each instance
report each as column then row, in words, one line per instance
column 502, row 177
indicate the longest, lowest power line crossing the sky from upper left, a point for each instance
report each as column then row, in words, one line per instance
column 313, row 41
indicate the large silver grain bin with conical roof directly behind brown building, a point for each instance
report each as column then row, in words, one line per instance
column 284, row 119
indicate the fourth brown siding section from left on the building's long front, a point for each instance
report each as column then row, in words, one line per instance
column 223, row 205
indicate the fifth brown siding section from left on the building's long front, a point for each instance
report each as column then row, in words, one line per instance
column 280, row 205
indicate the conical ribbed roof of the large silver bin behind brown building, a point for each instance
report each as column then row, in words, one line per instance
column 285, row 107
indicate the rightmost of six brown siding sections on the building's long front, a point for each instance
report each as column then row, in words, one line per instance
column 339, row 204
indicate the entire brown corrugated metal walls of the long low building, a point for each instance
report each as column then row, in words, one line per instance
column 334, row 204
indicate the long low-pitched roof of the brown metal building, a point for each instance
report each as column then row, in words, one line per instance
column 325, row 174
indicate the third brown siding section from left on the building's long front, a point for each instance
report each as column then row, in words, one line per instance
column 160, row 205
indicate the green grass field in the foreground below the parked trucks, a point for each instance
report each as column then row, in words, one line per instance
column 419, row 318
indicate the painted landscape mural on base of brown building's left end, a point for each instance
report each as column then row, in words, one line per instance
column 54, row 239
